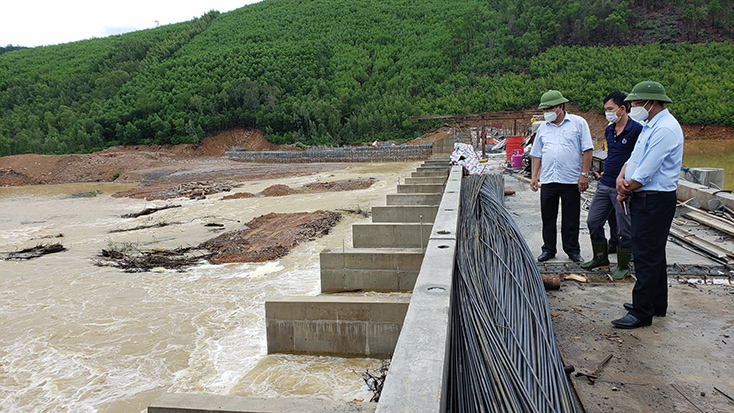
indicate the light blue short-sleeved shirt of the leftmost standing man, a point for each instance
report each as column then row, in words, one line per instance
column 560, row 148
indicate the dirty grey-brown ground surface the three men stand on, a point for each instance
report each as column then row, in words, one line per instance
column 682, row 363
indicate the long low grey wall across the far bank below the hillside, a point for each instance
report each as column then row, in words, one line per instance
column 341, row 154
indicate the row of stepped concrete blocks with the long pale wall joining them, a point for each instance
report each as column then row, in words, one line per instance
column 417, row 225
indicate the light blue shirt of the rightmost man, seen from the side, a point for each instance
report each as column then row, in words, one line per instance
column 655, row 162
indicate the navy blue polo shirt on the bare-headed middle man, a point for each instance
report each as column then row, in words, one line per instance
column 619, row 148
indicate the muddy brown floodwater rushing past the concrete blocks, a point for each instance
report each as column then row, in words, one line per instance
column 75, row 337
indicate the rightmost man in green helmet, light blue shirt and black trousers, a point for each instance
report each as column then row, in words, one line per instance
column 646, row 187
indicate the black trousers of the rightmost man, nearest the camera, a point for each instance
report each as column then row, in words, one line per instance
column 651, row 219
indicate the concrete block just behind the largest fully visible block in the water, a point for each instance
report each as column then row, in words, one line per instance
column 370, row 269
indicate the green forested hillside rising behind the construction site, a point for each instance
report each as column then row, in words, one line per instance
column 347, row 71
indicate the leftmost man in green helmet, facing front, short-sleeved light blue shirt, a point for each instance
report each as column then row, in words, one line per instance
column 561, row 156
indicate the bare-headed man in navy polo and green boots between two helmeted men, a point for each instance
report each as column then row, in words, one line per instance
column 621, row 136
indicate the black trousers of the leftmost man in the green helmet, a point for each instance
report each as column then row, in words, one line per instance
column 570, row 198
